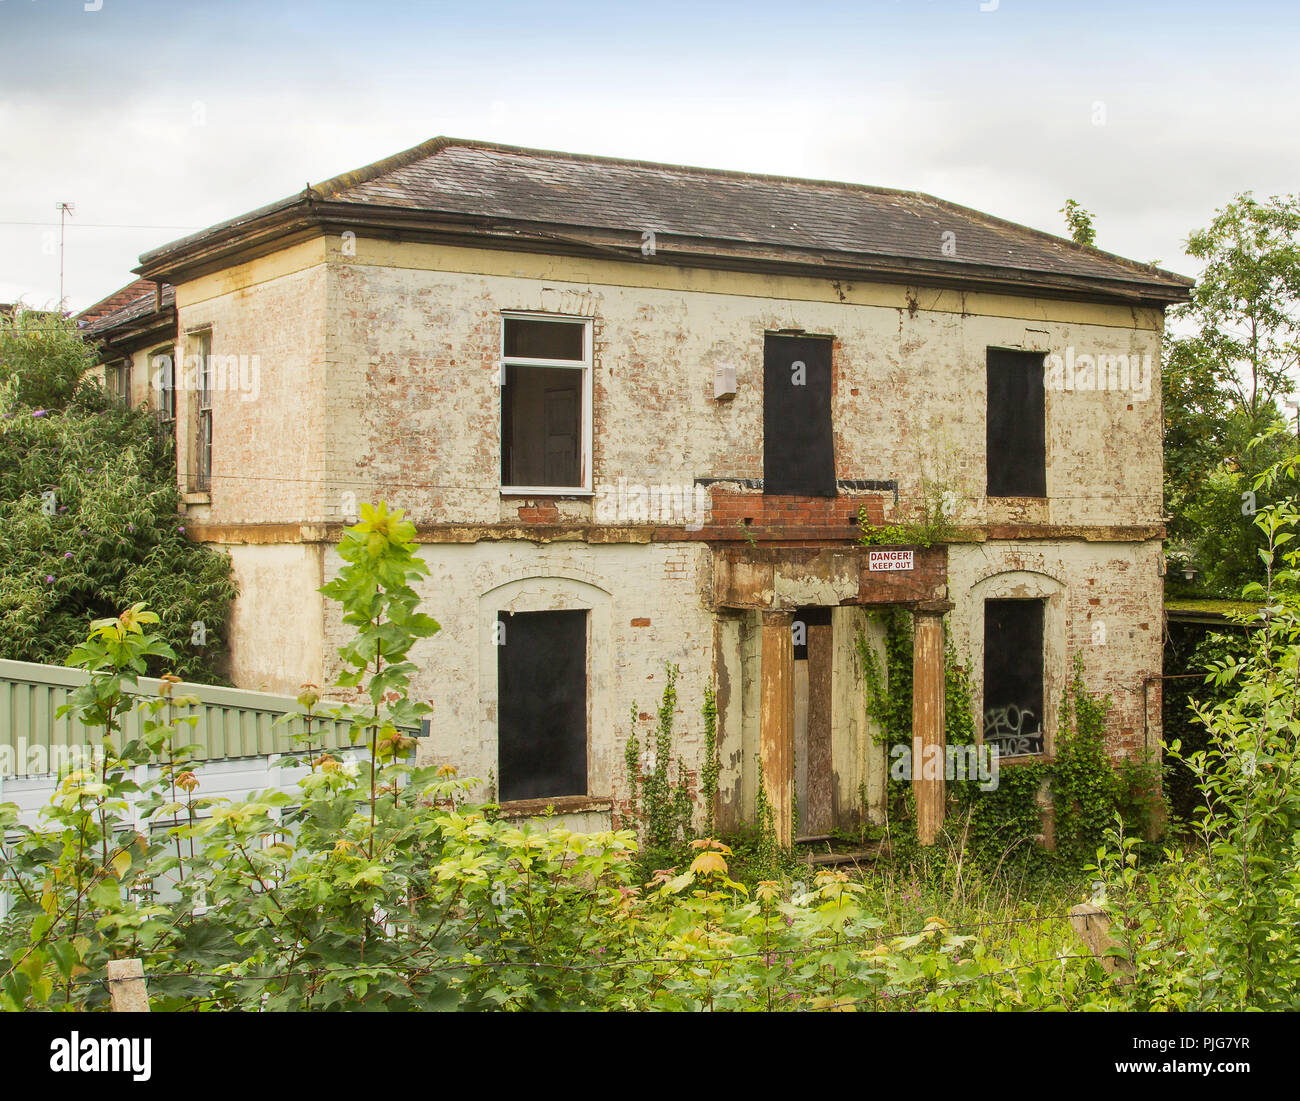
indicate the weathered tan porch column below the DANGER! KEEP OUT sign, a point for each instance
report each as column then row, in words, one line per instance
column 928, row 719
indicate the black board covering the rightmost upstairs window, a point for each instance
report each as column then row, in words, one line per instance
column 1016, row 436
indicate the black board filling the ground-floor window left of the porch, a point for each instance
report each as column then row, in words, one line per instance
column 541, row 705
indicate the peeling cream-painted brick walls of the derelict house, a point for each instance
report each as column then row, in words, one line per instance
column 382, row 378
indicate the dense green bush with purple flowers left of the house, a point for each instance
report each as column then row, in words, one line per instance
column 89, row 513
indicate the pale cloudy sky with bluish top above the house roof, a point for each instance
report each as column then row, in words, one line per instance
column 170, row 118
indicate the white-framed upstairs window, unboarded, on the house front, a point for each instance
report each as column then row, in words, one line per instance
column 545, row 405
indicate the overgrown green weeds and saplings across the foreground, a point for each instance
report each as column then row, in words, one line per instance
column 378, row 887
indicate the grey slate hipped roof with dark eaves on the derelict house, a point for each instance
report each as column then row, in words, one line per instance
column 474, row 193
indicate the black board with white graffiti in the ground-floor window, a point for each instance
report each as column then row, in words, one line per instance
column 1013, row 677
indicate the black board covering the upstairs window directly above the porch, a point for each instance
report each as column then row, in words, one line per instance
column 799, row 445
